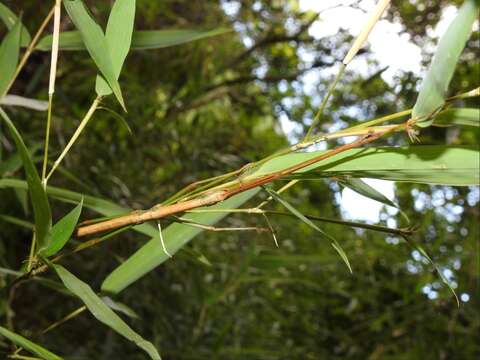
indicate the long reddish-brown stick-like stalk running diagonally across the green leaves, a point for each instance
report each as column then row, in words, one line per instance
column 211, row 197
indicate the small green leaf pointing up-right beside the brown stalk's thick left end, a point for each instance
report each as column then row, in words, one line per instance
column 62, row 231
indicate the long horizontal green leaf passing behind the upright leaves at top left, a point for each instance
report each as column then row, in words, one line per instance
column 141, row 39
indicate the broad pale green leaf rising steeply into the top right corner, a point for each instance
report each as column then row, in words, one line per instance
column 435, row 85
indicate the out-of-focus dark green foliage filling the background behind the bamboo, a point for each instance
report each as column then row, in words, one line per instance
column 208, row 107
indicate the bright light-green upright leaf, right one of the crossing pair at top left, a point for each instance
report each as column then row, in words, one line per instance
column 119, row 37
